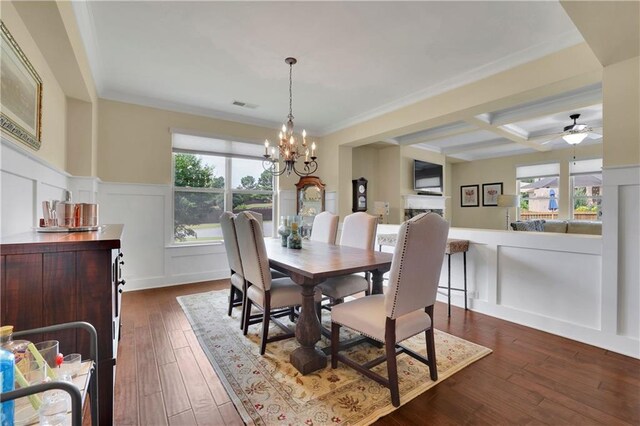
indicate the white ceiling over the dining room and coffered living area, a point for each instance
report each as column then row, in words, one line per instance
column 357, row 60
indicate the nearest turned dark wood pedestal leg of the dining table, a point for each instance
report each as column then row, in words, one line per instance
column 307, row 358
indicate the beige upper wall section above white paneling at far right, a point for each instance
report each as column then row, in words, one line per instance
column 621, row 113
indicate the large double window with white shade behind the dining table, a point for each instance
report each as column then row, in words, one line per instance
column 211, row 176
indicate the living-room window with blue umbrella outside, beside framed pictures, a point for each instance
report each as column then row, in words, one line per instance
column 538, row 189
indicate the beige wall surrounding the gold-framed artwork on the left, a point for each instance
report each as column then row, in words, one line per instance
column 54, row 110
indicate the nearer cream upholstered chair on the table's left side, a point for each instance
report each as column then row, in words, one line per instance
column 275, row 297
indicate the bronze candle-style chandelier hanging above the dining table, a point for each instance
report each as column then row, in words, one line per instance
column 290, row 149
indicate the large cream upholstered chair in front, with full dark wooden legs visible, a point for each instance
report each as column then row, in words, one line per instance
column 406, row 309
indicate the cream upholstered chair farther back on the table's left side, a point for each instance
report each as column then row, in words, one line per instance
column 237, row 282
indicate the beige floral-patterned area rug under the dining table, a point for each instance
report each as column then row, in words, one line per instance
column 268, row 390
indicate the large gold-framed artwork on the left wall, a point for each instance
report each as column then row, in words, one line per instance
column 21, row 88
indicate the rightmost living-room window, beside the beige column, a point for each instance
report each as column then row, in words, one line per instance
column 586, row 193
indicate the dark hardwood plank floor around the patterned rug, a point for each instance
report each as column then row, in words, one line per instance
column 163, row 377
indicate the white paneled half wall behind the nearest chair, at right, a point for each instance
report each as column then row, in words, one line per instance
column 552, row 282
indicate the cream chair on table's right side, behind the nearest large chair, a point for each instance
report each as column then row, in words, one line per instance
column 358, row 230
